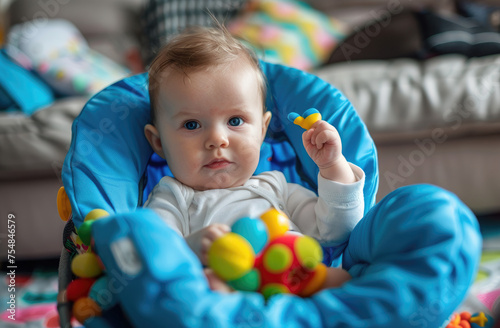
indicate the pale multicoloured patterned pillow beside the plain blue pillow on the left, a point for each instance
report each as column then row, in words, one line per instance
column 57, row 52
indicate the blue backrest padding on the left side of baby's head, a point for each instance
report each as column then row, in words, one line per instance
column 108, row 152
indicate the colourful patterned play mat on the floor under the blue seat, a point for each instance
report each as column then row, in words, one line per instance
column 36, row 293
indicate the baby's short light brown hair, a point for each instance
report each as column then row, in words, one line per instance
column 198, row 48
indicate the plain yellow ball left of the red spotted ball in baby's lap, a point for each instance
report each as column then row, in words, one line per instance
column 231, row 256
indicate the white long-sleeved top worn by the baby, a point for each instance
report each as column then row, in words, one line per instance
column 328, row 217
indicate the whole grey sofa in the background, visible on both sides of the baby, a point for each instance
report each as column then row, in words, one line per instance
column 435, row 121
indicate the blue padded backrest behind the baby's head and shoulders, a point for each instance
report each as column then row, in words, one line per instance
column 109, row 154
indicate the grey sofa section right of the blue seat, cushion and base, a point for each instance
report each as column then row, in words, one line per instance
column 436, row 121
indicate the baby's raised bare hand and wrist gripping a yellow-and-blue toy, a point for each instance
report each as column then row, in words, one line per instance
column 323, row 144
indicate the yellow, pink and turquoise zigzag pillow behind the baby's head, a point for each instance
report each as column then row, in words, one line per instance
column 288, row 32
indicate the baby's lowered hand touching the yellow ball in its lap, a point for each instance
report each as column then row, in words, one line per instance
column 201, row 240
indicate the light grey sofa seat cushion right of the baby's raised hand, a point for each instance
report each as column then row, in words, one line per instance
column 403, row 99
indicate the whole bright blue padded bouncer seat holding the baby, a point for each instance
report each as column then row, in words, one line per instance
column 412, row 257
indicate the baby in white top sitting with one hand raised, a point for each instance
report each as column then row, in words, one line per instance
column 209, row 120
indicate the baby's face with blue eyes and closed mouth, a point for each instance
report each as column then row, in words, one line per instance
column 211, row 126
